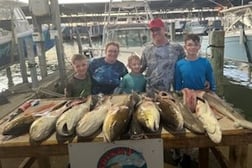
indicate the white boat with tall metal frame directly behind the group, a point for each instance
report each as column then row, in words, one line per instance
column 126, row 22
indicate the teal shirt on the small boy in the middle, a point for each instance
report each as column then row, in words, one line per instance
column 132, row 82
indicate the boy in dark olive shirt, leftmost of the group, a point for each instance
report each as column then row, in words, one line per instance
column 80, row 84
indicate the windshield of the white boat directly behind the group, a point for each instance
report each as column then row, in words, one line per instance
column 130, row 37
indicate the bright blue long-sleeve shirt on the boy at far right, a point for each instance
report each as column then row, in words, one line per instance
column 193, row 74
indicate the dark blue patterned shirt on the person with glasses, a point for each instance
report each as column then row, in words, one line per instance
column 106, row 77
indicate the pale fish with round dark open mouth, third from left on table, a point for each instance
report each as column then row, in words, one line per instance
column 66, row 123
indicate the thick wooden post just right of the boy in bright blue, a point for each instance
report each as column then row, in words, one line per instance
column 216, row 41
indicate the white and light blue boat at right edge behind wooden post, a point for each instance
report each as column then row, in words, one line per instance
column 237, row 24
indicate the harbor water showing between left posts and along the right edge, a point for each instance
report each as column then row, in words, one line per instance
column 237, row 91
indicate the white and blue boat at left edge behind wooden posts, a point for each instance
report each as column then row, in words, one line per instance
column 14, row 27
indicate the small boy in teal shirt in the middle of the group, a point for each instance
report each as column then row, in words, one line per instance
column 133, row 81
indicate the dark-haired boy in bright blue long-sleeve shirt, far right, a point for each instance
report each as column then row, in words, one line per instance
column 193, row 71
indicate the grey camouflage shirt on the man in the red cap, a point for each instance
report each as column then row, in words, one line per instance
column 158, row 62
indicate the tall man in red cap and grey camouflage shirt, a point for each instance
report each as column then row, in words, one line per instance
column 159, row 58
